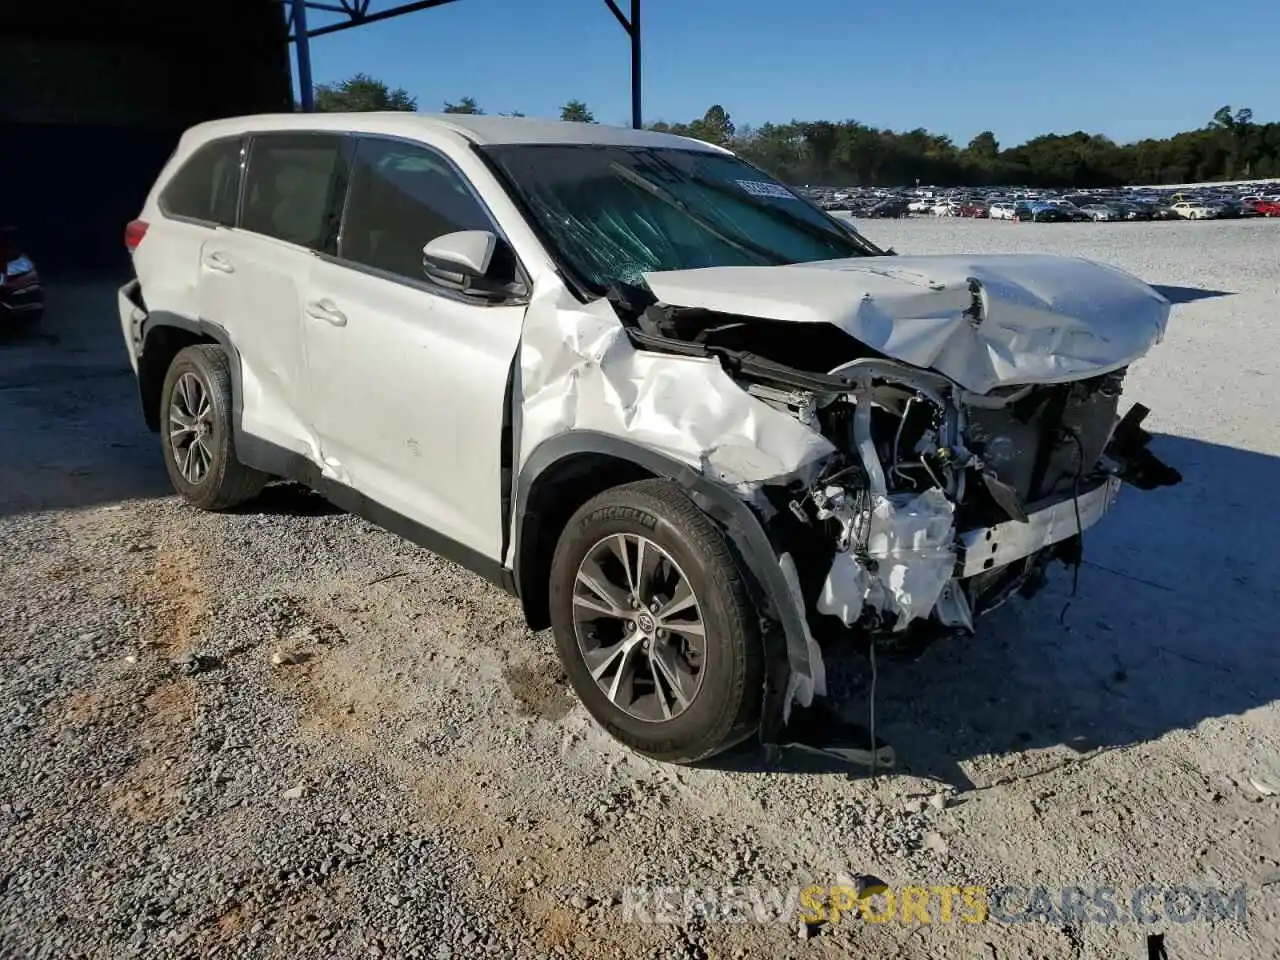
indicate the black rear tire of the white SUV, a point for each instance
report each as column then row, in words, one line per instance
column 225, row 482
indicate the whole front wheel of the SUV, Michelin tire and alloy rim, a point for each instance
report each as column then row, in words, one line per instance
column 655, row 624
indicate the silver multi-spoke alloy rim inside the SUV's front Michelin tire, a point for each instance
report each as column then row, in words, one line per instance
column 639, row 628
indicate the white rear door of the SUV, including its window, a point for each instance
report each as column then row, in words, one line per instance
column 253, row 280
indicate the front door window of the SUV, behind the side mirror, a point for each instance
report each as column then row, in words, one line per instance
column 404, row 196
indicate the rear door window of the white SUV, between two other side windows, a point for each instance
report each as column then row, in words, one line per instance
column 295, row 186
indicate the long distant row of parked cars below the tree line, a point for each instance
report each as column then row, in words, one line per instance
column 1022, row 205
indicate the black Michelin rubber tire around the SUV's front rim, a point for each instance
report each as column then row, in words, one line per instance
column 725, row 708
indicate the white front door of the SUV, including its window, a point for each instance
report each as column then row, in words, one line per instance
column 409, row 380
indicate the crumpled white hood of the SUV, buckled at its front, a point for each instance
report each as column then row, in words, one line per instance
column 985, row 322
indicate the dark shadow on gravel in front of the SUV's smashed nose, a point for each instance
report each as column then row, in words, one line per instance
column 1173, row 627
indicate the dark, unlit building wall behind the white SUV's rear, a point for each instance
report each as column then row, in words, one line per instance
column 94, row 95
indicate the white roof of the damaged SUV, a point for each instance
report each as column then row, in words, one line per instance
column 482, row 130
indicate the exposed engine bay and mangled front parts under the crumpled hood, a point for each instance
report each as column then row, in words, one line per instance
column 939, row 504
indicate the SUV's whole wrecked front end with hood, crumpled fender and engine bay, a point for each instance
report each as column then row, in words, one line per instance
column 911, row 451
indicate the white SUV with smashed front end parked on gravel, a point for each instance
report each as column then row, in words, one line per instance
column 698, row 427
